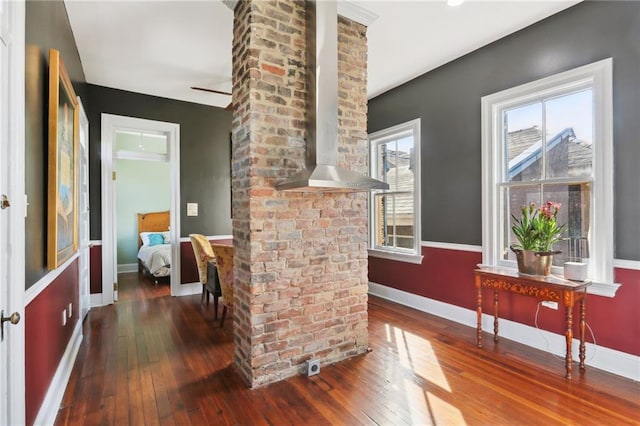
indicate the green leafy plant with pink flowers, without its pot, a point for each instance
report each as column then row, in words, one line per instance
column 537, row 229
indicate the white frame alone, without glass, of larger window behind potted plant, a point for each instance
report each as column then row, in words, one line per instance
column 597, row 76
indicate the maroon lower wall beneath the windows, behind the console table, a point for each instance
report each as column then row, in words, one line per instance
column 447, row 276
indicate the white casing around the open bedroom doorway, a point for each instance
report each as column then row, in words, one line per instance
column 110, row 125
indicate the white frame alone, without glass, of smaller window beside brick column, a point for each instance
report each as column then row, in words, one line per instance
column 413, row 255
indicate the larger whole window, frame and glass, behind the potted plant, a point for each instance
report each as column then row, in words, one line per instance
column 551, row 140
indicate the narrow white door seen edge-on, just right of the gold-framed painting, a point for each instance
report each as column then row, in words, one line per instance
column 83, row 219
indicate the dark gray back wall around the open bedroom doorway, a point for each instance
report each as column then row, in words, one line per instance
column 204, row 155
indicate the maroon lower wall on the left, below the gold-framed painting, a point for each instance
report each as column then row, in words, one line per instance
column 46, row 337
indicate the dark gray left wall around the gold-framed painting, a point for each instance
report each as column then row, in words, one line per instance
column 47, row 26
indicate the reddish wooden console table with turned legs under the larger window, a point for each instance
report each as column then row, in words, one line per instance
column 550, row 288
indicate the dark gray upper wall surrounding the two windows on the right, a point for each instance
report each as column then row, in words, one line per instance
column 448, row 102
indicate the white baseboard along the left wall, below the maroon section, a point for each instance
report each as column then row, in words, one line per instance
column 53, row 398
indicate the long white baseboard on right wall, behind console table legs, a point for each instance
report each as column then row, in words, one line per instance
column 611, row 360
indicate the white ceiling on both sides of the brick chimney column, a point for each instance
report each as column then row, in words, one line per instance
column 163, row 48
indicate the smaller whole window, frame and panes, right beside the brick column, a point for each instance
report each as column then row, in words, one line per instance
column 395, row 213
